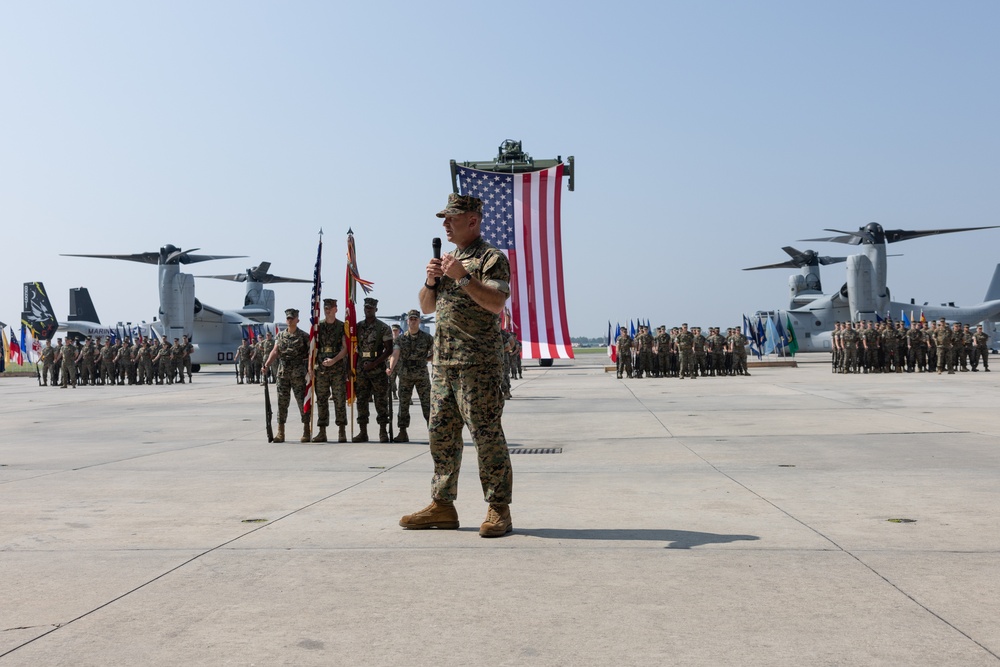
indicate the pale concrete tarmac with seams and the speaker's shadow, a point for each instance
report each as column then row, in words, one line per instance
column 717, row 521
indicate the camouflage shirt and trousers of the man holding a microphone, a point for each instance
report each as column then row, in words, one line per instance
column 465, row 388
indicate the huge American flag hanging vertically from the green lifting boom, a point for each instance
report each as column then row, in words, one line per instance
column 521, row 217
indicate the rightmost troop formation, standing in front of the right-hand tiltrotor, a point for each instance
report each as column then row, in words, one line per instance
column 887, row 347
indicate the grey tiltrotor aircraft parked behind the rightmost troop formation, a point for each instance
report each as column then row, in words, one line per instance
column 865, row 295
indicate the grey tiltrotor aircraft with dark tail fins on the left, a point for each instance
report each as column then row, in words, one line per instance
column 215, row 333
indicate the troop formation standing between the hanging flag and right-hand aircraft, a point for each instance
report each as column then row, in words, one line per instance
column 681, row 353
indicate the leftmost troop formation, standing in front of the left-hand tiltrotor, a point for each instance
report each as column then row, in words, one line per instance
column 100, row 361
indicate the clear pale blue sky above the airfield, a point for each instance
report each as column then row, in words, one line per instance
column 707, row 135
